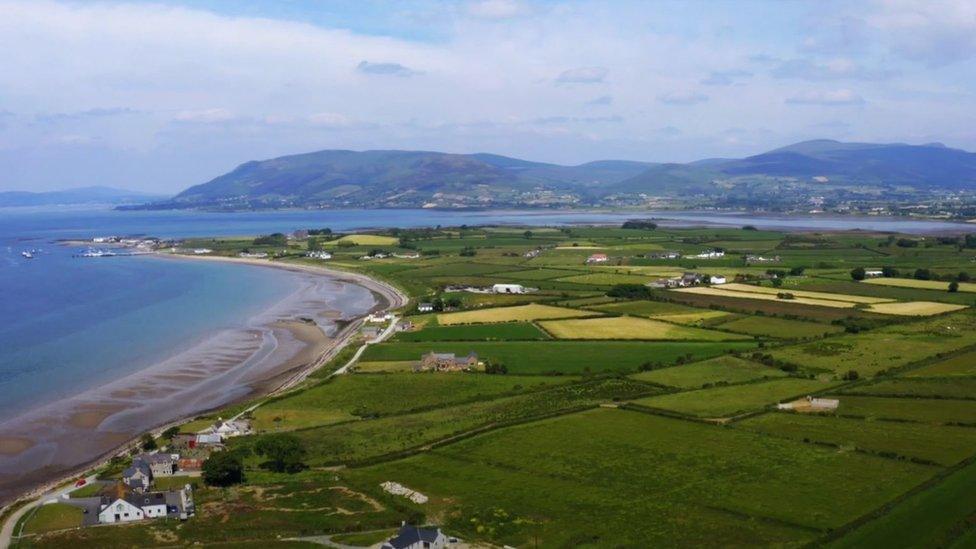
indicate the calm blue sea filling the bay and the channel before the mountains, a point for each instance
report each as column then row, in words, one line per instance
column 69, row 324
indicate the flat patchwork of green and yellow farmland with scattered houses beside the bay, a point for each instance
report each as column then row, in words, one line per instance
column 600, row 335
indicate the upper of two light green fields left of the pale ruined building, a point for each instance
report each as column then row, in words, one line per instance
column 723, row 369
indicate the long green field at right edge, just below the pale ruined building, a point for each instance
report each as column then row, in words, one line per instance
column 941, row 445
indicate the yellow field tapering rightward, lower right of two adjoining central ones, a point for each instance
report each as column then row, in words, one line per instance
column 629, row 327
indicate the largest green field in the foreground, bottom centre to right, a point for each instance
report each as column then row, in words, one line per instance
column 606, row 464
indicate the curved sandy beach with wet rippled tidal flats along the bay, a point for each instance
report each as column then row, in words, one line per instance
column 234, row 367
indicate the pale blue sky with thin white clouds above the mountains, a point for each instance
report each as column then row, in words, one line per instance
column 162, row 95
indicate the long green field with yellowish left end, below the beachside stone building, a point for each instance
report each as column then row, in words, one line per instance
column 352, row 397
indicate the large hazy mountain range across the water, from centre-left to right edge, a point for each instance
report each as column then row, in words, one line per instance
column 391, row 178
